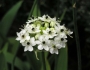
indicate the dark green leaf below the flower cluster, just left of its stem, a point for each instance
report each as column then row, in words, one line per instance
column 35, row 64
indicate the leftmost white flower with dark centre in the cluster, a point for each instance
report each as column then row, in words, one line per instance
column 22, row 36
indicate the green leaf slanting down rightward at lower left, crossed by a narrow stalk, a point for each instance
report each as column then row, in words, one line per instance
column 18, row 63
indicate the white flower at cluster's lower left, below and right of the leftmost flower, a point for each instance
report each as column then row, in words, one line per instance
column 29, row 44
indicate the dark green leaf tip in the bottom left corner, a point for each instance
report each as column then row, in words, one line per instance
column 3, row 63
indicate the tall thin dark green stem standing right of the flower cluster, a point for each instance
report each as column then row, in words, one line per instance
column 76, row 35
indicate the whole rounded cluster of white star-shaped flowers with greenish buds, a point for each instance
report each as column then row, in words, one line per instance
column 43, row 33
